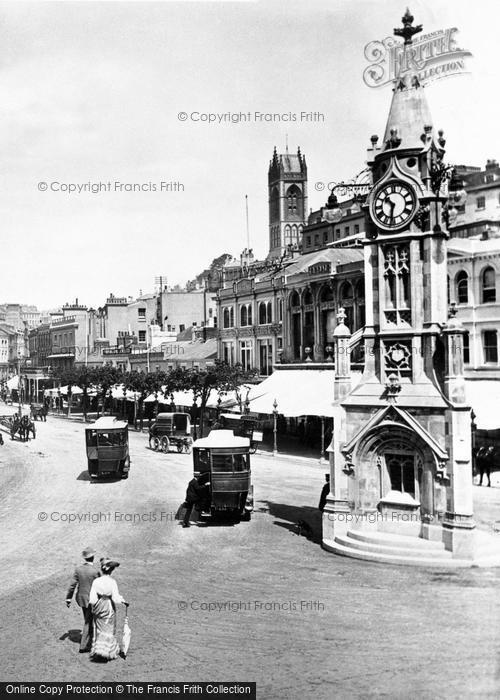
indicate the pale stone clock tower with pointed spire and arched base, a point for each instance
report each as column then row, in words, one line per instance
column 401, row 452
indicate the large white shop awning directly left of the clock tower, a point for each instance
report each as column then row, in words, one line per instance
column 298, row 392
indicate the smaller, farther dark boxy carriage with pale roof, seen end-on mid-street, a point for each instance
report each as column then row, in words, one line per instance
column 107, row 448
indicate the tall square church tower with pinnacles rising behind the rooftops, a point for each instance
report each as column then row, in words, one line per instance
column 287, row 181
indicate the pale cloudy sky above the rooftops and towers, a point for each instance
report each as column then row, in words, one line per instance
column 91, row 92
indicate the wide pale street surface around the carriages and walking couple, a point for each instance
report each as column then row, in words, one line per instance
column 300, row 622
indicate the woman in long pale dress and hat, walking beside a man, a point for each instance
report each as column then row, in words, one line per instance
column 104, row 597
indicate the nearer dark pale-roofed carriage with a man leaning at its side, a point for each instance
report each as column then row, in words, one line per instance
column 225, row 458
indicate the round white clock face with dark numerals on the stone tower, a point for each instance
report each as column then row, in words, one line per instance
column 394, row 205
